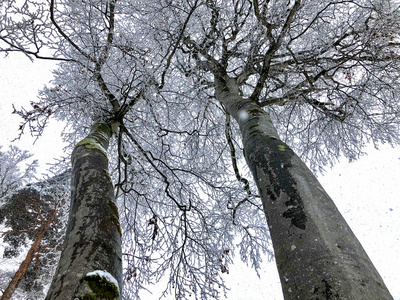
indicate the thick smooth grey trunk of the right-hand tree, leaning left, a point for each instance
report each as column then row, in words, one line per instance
column 317, row 254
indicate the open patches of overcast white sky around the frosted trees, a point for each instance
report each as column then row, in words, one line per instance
column 367, row 192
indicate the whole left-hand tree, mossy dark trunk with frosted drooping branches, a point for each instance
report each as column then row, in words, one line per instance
column 171, row 199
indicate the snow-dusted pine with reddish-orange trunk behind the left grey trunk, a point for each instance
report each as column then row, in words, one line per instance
column 33, row 217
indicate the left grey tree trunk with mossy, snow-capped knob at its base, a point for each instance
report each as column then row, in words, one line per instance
column 90, row 266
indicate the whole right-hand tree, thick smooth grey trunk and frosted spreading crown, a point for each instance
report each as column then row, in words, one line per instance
column 328, row 73
